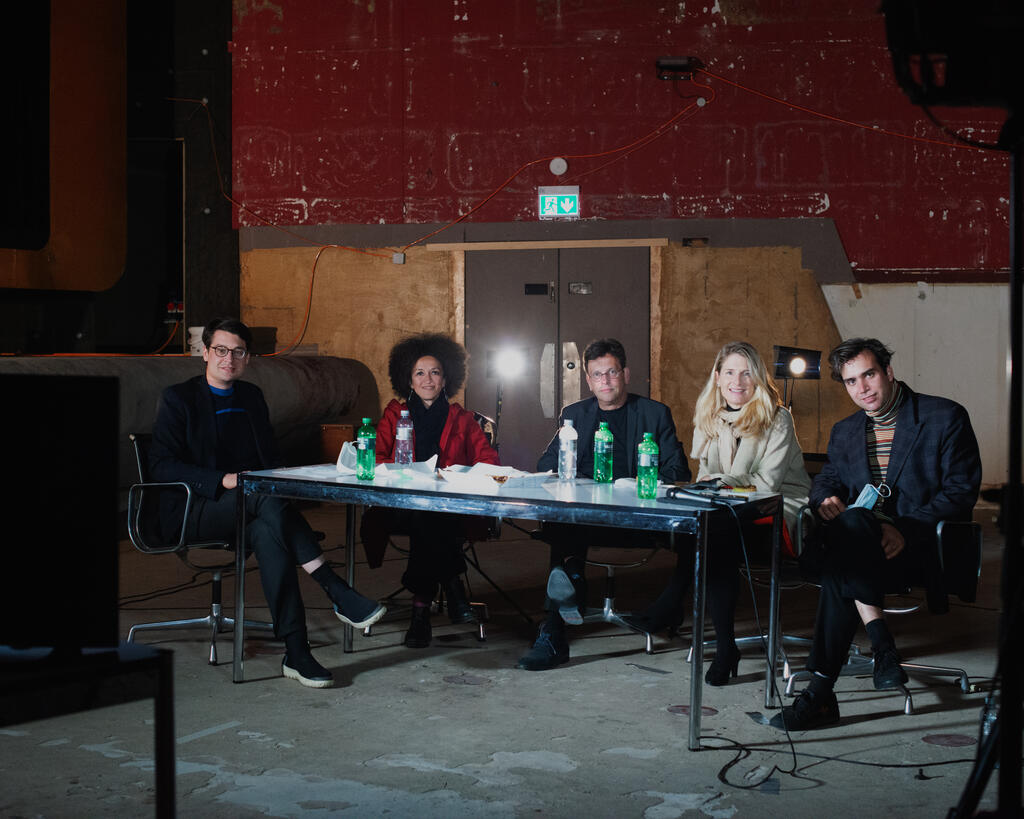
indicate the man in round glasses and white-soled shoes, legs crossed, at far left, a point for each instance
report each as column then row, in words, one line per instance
column 210, row 428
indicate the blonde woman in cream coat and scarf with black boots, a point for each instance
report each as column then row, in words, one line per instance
column 743, row 437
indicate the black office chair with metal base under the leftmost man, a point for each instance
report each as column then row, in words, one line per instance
column 144, row 532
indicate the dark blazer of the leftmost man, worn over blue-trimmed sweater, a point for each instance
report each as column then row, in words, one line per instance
column 185, row 441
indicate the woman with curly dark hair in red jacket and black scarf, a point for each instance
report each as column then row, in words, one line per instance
column 423, row 370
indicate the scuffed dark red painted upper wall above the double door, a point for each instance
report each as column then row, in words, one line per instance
column 415, row 111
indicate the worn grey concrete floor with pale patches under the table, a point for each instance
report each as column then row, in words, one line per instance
column 456, row 730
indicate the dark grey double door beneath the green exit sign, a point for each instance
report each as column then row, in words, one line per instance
column 545, row 307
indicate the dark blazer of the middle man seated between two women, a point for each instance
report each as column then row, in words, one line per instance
column 643, row 415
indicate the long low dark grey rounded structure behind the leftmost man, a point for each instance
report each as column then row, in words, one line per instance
column 303, row 393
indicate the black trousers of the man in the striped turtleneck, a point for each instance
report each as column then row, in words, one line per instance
column 854, row 568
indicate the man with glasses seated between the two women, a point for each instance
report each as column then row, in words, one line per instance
column 629, row 418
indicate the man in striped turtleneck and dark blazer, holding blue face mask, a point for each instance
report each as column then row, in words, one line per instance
column 895, row 469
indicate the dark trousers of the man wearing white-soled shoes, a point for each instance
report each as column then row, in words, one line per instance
column 280, row 538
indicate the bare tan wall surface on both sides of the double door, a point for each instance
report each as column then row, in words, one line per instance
column 702, row 298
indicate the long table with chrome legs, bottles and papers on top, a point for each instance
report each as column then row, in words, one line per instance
column 582, row 501
